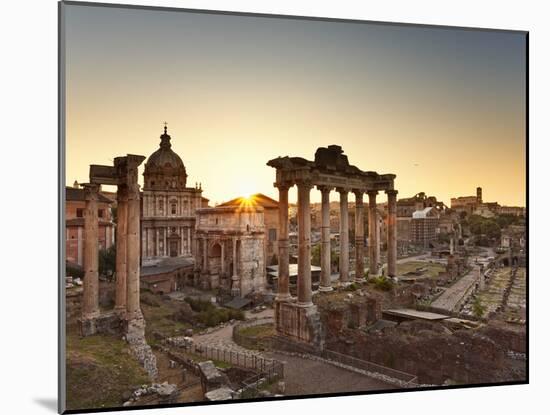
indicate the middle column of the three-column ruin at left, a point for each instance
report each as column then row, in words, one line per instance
column 121, row 249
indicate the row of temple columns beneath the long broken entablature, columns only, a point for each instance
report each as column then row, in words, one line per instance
column 304, row 239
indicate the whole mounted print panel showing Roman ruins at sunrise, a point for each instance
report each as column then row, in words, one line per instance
column 260, row 207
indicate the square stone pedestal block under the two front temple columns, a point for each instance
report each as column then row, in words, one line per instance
column 298, row 324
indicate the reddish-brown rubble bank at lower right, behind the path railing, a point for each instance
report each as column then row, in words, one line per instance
column 429, row 351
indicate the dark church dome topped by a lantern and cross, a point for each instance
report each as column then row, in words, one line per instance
column 164, row 169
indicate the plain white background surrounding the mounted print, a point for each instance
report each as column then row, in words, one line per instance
column 29, row 202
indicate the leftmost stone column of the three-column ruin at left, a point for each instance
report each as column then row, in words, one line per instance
column 90, row 295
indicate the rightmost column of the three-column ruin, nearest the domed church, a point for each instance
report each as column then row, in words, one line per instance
column 133, row 310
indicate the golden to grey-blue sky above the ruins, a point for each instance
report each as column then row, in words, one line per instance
column 443, row 109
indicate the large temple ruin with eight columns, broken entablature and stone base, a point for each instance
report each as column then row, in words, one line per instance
column 297, row 318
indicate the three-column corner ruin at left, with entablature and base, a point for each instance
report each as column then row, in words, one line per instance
column 126, row 317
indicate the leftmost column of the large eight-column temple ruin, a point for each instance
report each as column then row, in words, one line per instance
column 283, row 291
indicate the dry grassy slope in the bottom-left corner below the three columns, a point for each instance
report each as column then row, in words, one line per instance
column 100, row 370
